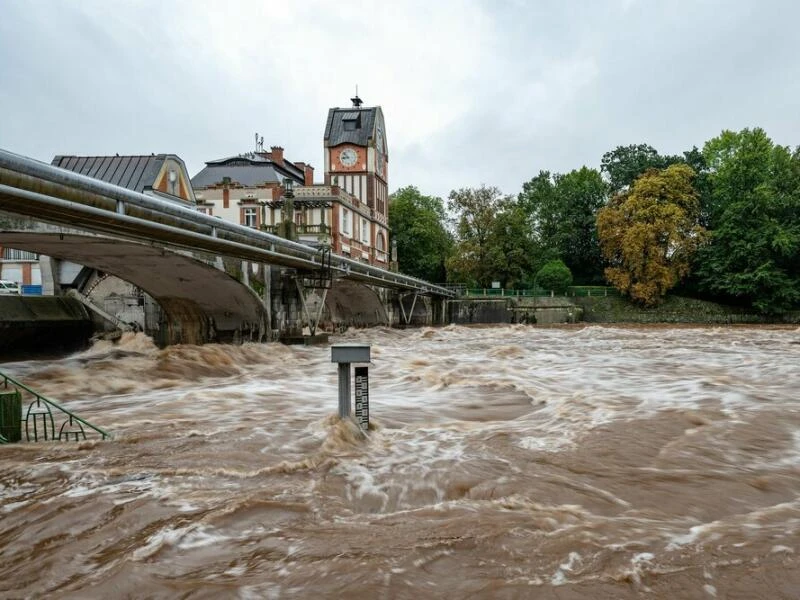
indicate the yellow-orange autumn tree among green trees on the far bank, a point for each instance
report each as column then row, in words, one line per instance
column 649, row 233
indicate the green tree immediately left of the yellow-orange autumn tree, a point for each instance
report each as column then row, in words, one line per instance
column 562, row 211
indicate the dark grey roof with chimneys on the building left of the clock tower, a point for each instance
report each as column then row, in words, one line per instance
column 249, row 170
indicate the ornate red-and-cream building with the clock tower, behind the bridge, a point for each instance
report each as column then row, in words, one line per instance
column 349, row 212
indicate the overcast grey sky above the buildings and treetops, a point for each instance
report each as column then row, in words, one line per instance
column 473, row 91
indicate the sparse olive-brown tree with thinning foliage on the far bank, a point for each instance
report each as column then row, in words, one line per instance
column 478, row 256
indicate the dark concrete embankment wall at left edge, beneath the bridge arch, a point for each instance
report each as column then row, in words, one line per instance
column 42, row 325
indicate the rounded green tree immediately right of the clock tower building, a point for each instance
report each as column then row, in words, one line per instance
column 418, row 226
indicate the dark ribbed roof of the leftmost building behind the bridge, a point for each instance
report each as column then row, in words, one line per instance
column 133, row 172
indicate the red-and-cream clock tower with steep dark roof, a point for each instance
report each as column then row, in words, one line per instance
column 356, row 157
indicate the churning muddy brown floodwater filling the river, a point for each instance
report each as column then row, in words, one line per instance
column 503, row 462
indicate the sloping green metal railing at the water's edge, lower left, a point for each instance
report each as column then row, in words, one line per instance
column 40, row 421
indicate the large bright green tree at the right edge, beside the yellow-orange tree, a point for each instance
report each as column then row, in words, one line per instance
column 754, row 254
